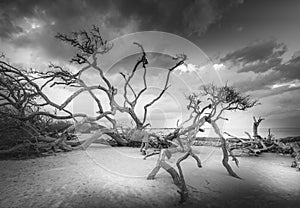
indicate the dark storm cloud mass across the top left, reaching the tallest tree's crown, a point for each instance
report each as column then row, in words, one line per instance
column 112, row 16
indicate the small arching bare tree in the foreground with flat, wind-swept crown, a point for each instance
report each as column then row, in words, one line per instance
column 207, row 106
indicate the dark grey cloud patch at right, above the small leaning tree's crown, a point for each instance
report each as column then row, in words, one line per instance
column 262, row 57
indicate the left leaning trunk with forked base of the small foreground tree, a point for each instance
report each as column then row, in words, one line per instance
column 182, row 139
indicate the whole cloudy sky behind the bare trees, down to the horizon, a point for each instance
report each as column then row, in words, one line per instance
column 253, row 45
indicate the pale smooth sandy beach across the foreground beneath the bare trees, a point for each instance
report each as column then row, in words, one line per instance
column 103, row 176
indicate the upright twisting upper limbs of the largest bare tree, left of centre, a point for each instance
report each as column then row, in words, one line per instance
column 88, row 45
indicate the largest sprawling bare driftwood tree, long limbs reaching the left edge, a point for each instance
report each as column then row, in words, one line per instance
column 24, row 95
